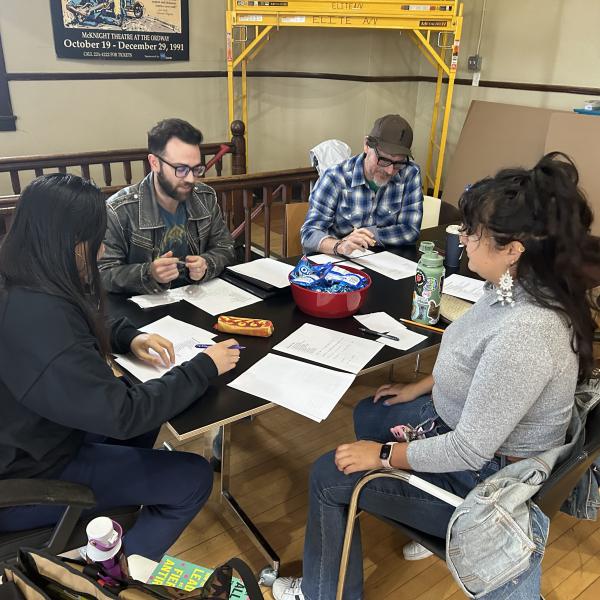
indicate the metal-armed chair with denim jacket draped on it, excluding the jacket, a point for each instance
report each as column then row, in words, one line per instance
column 550, row 497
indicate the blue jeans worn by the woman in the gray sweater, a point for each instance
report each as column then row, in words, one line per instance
column 330, row 492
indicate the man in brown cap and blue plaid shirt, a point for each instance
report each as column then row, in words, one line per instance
column 372, row 198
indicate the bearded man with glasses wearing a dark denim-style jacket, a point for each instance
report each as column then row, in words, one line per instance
column 167, row 230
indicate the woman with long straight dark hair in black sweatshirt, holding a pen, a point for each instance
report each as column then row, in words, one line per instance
column 63, row 413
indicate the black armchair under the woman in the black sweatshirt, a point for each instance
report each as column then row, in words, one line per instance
column 69, row 531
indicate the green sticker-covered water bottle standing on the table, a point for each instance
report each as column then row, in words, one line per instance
column 429, row 281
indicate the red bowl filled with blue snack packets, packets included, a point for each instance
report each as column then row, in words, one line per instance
column 328, row 291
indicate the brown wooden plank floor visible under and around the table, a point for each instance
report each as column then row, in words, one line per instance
column 271, row 457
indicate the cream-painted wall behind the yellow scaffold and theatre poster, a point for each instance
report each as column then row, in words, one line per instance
column 532, row 41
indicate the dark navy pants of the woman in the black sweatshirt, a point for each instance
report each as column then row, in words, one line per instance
column 171, row 486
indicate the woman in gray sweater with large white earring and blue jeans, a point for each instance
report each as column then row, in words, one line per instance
column 502, row 387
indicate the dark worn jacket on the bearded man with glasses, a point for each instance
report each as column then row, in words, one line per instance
column 135, row 230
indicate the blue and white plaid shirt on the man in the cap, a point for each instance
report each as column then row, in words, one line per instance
column 342, row 200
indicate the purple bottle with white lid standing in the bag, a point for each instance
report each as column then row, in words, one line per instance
column 104, row 547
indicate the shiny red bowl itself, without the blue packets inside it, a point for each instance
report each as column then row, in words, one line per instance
column 331, row 306
